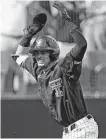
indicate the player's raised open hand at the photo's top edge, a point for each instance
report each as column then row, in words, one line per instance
column 62, row 10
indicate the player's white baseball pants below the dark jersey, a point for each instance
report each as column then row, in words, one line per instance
column 85, row 128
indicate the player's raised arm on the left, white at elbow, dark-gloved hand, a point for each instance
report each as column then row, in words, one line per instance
column 23, row 48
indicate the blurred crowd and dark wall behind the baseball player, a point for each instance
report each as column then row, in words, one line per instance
column 22, row 112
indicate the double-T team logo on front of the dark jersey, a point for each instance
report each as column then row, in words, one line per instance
column 57, row 86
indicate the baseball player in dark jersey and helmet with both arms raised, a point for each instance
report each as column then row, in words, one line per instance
column 59, row 85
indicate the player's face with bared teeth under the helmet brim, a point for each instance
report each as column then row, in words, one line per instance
column 42, row 58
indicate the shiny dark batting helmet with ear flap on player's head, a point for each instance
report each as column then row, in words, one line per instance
column 46, row 43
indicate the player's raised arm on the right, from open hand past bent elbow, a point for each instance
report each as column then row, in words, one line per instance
column 78, row 51
